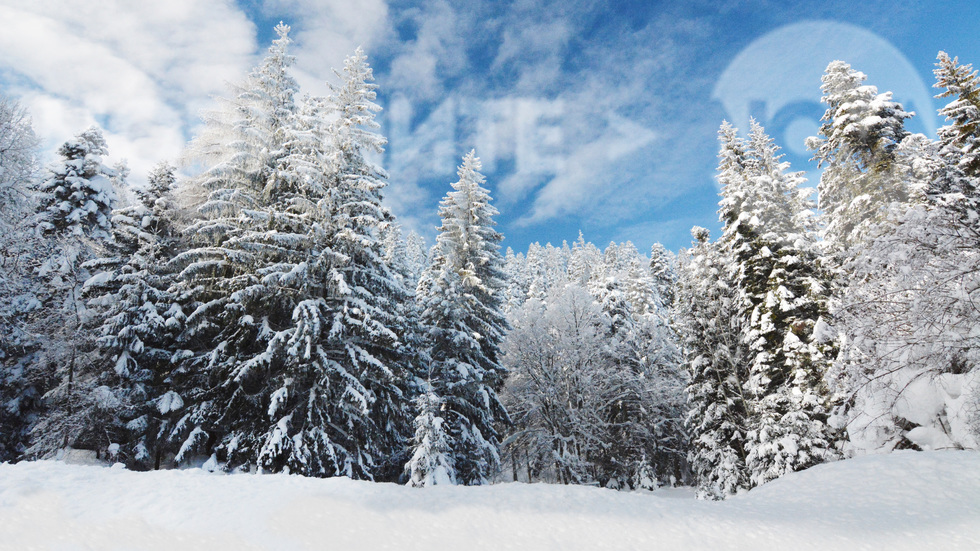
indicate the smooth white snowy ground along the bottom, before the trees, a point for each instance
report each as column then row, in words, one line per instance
column 928, row 500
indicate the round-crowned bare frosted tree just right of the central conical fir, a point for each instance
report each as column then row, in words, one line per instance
column 560, row 387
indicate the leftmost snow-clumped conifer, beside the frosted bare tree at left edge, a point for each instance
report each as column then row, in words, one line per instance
column 75, row 217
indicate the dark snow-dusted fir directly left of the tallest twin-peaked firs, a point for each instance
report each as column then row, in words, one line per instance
column 141, row 320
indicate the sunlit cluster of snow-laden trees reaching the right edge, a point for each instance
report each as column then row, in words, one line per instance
column 809, row 337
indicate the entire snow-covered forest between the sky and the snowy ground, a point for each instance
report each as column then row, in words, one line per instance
column 268, row 313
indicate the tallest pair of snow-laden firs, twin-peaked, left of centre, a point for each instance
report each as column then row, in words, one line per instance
column 299, row 316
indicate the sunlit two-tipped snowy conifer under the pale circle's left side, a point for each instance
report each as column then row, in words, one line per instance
column 781, row 296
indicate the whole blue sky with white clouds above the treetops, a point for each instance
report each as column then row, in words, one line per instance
column 592, row 116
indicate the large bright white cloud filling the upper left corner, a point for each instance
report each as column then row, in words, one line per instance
column 142, row 70
